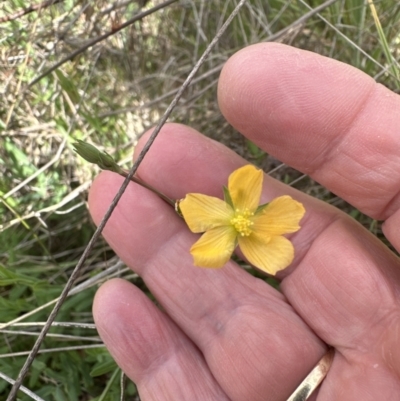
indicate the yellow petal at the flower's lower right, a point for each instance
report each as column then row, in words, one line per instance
column 269, row 256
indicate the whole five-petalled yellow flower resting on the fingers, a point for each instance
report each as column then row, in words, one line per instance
column 240, row 220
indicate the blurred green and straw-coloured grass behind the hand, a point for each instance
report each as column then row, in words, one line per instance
column 109, row 94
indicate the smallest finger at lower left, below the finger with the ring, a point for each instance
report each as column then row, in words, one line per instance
column 150, row 348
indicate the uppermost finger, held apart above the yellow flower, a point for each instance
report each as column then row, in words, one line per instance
column 320, row 116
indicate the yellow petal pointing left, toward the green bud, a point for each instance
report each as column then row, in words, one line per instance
column 202, row 212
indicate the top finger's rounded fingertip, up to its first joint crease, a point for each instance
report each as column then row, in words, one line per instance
column 289, row 100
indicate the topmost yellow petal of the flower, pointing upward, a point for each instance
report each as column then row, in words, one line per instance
column 245, row 185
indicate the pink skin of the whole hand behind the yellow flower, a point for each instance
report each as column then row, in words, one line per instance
column 223, row 334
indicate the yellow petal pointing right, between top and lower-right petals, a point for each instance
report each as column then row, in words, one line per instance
column 281, row 216
